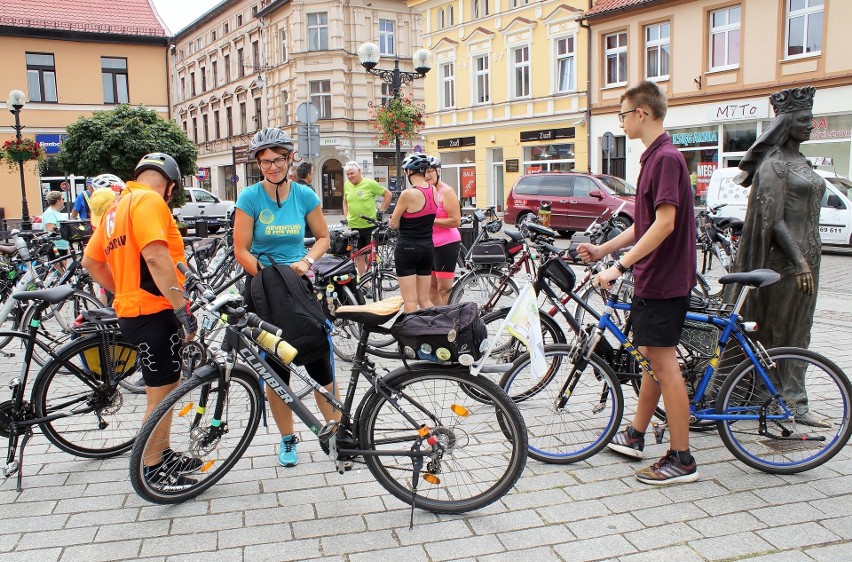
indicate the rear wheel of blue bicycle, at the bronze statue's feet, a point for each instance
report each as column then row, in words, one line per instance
column 787, row 446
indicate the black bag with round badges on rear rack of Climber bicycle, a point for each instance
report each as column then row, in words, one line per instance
column 442, row 334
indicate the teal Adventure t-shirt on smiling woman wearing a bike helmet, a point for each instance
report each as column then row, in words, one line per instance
column 279, row 232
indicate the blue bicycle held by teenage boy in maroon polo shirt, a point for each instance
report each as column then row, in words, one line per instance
column 577, row 413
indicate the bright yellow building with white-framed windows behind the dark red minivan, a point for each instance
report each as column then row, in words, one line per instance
column 507, row 92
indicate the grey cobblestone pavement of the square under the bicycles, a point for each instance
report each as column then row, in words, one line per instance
column 76, row 509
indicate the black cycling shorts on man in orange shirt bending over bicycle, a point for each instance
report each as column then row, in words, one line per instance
column 159, row 338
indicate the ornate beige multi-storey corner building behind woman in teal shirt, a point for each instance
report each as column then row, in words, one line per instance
column 247, row 65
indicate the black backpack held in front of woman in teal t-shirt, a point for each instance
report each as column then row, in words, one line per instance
column 288, row 301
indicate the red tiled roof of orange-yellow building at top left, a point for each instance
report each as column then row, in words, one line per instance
column 122, row 17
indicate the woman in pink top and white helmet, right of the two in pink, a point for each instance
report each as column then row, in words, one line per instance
column 445, row 235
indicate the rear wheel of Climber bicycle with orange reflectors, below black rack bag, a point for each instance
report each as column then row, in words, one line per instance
column 481, row 435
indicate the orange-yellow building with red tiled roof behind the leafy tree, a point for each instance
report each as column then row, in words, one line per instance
column 70, row 60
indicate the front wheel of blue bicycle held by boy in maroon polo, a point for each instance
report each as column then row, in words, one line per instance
column 578, row 428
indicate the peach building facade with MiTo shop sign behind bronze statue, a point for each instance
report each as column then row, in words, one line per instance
column 718, row 61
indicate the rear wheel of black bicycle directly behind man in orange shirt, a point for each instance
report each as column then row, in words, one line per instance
column 82, row 381
